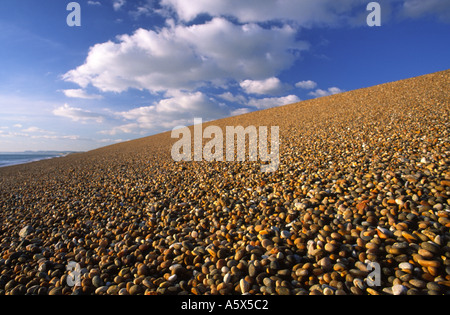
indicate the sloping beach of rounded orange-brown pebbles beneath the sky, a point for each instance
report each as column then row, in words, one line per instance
column 363, row 177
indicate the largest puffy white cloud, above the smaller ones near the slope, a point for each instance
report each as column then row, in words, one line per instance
column 188, row 57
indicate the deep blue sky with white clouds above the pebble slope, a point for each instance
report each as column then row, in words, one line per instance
column 137, row 68
